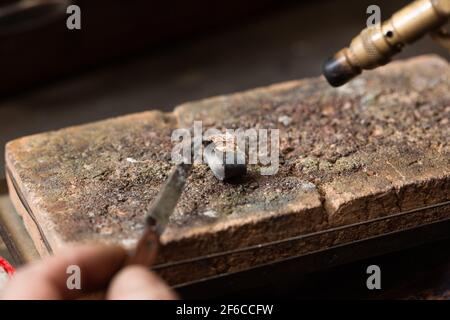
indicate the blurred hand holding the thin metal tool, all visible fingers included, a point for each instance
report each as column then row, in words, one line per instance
column 101, row 271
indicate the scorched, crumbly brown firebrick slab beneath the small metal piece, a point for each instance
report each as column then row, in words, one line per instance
column 375, row 147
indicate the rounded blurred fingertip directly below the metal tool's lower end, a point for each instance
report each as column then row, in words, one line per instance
column 138, row 283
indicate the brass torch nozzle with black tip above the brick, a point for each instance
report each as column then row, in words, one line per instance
column 375, row 45
